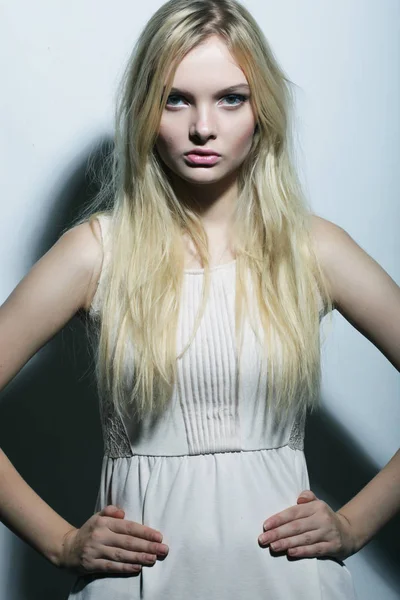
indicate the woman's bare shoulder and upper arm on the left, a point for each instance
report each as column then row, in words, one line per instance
column 59, row 284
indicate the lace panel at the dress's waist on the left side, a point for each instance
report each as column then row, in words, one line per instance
column 116, row 440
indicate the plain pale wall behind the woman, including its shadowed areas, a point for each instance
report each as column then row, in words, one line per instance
column 60, row 64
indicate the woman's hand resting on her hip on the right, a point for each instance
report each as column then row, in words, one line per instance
column 310, row 529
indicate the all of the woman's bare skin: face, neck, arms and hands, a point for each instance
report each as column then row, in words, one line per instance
column 64, row 280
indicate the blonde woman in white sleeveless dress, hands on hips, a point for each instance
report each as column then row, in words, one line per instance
column 204, row 283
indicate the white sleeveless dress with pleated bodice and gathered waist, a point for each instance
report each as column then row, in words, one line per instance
column 209, row 472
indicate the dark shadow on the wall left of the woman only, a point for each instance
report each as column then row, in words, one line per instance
column 49, row 418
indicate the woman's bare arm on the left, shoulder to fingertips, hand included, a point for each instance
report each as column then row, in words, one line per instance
column 60, row 284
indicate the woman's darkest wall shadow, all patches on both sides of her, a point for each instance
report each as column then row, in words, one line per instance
column 50, row 429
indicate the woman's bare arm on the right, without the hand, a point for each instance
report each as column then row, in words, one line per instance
column 369, row 299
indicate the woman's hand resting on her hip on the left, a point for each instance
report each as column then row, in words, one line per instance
column 107, row 543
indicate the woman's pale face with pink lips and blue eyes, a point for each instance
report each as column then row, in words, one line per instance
column 202, row 114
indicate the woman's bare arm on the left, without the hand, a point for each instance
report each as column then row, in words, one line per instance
column 61, row 283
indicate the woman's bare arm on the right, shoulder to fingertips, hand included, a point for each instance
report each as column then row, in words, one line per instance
column 369, row 299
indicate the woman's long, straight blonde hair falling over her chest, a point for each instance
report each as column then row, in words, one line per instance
column 141, row 302
